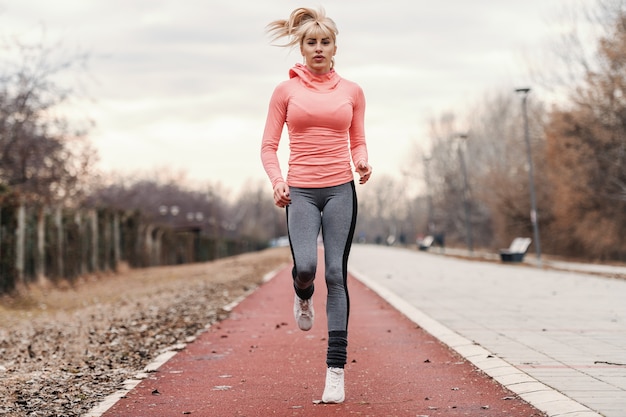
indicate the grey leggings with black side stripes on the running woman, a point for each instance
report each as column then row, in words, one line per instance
column 334, row 211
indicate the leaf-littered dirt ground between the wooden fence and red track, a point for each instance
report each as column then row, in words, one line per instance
column 63, row 349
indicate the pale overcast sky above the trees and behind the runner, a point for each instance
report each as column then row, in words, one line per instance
column 184, row 85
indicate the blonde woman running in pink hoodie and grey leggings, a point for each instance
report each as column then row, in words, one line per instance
column 324, row 114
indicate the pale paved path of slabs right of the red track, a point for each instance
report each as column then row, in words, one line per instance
column 562, row 334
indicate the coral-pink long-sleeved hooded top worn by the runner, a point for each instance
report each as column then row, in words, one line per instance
column 325, row 119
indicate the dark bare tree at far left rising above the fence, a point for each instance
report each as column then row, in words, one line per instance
column 41, row 156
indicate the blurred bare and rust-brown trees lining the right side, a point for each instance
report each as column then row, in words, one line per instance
column 578, row 150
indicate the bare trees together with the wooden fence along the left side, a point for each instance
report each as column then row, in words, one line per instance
column 59, row 217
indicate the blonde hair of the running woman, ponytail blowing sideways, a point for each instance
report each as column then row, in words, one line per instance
column 301, row 23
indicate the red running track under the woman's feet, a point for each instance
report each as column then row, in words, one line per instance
column 257, row 363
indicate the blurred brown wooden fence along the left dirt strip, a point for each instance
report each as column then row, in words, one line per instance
column 61, row 244
